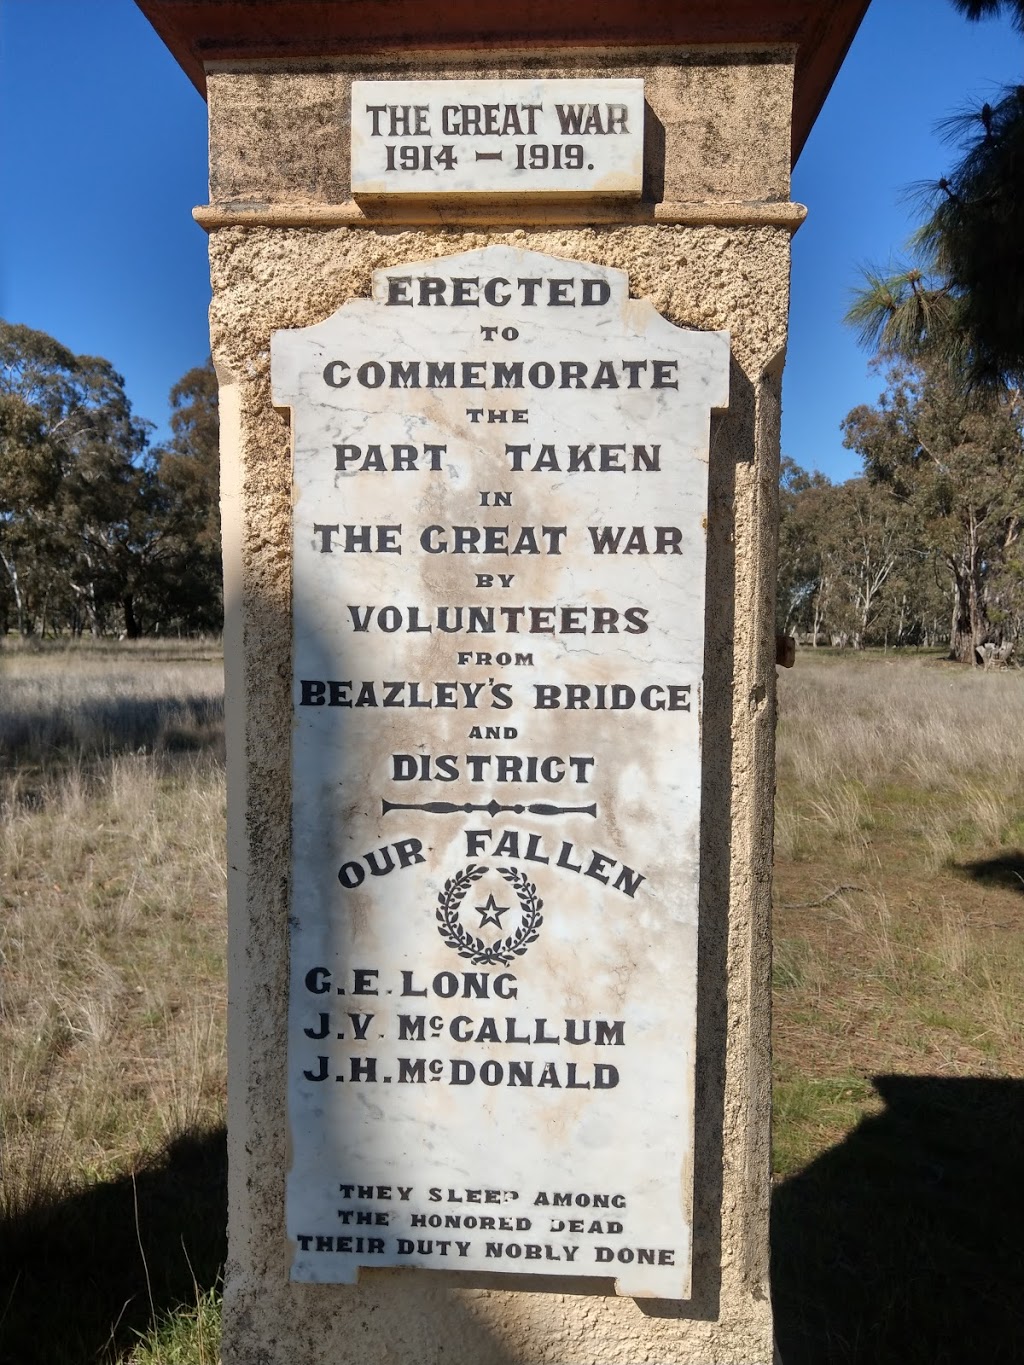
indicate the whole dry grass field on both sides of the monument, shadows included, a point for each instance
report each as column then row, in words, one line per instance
column 899, row 979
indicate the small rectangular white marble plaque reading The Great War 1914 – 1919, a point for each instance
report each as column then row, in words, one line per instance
column 551, row 139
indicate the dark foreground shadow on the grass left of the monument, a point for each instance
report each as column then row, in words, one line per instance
column 79, row 1276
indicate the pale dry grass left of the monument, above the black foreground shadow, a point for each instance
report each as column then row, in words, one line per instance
column 113, row 872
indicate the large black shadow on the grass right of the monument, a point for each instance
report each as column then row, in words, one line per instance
column 905, row 1244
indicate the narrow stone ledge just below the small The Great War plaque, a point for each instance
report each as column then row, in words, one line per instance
column 409, row 214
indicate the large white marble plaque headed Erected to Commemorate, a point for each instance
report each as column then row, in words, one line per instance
column 499, row 622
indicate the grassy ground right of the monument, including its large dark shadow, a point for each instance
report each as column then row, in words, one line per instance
column 899, row 974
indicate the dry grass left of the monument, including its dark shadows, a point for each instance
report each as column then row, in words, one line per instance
column 113, row 1011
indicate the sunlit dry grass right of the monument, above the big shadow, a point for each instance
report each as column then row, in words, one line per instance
column 899, row 918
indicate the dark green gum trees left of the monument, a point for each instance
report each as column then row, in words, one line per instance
column 98, row 533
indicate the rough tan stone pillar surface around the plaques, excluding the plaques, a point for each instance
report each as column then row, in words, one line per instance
column 711, row 248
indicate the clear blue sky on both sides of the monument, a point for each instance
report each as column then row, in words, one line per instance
column 104, row 156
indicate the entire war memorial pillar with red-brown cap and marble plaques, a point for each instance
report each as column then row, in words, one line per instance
column 499, row 319
